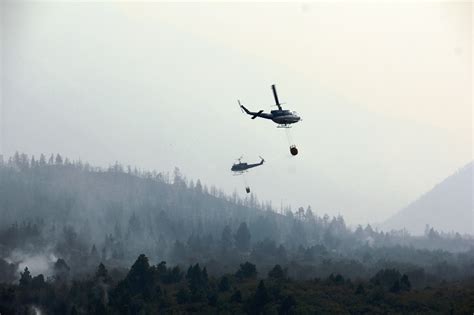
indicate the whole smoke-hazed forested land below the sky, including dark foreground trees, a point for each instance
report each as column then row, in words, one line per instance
column 78, row 239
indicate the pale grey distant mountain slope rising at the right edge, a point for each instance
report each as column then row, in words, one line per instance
column 446, row 207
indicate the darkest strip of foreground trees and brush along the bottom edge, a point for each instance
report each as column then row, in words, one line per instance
column 159, row 289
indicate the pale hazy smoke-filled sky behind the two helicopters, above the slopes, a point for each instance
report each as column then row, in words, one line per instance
column 384, row 89
